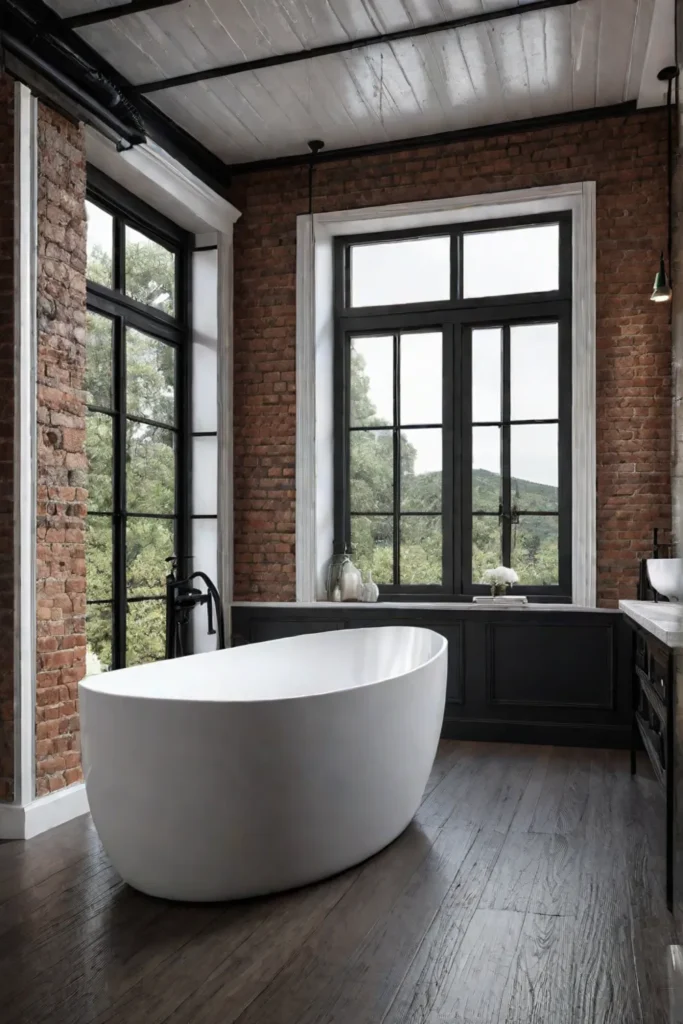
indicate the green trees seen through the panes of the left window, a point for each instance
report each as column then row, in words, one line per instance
column 150, row 460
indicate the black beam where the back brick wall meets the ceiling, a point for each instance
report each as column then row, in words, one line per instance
column 445, row 139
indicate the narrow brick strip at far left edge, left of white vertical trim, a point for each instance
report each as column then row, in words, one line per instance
column 7, row 436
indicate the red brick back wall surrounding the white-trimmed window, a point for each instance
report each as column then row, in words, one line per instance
column 627, row 159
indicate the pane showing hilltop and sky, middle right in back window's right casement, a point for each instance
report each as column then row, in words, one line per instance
column 534, row 458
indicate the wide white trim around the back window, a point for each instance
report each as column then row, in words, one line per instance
column 315, row 342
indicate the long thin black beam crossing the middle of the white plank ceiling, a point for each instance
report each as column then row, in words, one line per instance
column 354, row 45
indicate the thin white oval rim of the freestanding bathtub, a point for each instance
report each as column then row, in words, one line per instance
column 279, row 699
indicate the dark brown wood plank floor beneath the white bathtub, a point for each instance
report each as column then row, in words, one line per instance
column 529, row 890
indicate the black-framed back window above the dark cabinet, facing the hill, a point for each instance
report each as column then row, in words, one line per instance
column 453, row 406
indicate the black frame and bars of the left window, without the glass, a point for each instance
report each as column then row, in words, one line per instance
column 127, row 209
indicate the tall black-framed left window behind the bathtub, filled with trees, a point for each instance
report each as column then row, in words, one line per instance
column 138, row 388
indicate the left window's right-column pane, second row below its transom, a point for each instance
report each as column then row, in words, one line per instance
column 150, row 470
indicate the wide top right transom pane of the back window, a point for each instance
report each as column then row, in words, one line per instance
column 511, row 261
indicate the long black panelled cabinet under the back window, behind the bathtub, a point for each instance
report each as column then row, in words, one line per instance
column 541, row 674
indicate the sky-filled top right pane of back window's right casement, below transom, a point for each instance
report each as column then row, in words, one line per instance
column 534, row 372
